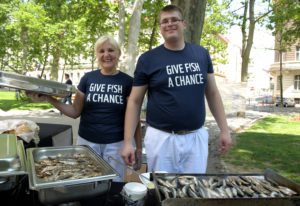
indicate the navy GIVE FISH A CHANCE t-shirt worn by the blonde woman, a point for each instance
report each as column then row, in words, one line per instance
column 102, row 117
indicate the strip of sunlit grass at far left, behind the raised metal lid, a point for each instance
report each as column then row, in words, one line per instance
column 8, row 101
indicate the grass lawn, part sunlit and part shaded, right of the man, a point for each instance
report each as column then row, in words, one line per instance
column 273, row 142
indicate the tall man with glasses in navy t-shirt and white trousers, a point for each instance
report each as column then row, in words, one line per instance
column 178, row 76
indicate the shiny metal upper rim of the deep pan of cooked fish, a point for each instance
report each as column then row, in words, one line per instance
column 36, row 154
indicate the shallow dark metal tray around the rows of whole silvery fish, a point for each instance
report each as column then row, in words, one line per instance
column 268, row 175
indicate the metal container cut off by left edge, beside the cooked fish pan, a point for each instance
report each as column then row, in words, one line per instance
column 12, row 156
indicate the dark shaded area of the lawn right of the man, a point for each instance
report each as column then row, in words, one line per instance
column 267, row 150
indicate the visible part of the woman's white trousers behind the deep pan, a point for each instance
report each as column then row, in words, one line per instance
column 106, row 150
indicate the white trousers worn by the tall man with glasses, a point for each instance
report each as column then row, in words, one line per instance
column 176, row 153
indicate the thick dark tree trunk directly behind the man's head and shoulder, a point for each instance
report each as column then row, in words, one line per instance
column 194, row 22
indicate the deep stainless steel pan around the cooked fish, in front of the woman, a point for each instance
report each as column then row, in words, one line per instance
column 68, row 190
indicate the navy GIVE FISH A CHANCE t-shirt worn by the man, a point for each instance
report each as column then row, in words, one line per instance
column 176, row 85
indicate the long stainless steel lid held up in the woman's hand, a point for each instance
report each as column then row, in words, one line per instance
column 43, row 86
